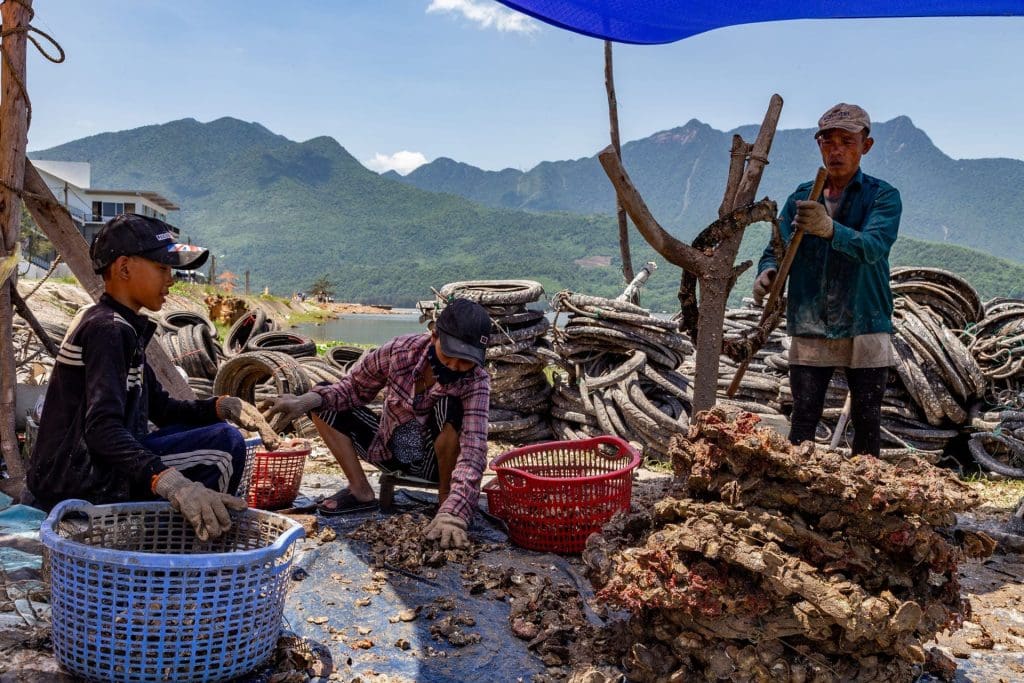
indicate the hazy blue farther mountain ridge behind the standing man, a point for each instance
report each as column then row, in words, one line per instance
column 681, row 175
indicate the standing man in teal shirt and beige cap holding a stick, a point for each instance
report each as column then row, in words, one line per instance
column 839, row 310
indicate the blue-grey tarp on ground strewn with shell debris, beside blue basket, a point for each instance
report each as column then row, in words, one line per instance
column 499, row 656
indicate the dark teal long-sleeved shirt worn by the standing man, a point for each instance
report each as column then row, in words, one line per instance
column 840, row 288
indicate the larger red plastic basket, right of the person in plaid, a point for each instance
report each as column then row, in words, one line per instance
column 553, row 496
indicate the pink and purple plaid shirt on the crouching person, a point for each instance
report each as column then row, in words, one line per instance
column 395, row 368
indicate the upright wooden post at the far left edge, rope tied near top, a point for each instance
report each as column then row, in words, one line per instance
column 14, row 138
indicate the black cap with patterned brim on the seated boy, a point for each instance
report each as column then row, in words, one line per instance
column 133, row 235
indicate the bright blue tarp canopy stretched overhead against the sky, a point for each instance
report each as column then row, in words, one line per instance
column 651, row 22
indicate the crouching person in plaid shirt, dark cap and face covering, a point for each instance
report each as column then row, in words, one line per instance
column 434, row 425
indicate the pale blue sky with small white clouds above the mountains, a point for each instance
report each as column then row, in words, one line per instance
column 403, row 82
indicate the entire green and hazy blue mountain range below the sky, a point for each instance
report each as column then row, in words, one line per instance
column 291, row 212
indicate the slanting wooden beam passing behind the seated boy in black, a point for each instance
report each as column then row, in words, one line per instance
column 57, row 225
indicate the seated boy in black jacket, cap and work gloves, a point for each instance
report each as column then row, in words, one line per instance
column 95, row 441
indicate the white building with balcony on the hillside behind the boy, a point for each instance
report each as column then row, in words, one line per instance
column 91, row 207
